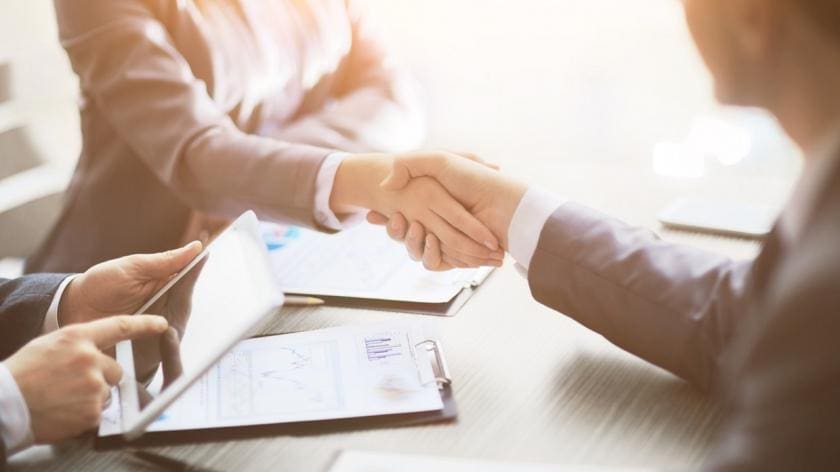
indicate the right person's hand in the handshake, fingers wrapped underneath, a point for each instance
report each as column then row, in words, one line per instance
column 490, row 196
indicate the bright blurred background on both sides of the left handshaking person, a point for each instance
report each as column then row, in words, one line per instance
column 589, row 98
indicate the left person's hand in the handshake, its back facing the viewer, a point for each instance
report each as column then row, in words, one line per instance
column 423, row 200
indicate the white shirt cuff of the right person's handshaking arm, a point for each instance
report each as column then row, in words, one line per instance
column 528, row 220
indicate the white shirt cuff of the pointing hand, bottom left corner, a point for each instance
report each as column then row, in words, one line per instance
column 14, row 422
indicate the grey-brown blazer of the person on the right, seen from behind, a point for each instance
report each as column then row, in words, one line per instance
column 763, row 334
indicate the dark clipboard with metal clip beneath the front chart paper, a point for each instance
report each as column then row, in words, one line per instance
column 442, row 378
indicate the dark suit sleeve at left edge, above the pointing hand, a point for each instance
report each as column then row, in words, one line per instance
column 23, row 304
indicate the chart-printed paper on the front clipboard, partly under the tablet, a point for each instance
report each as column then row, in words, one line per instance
column 346, row 372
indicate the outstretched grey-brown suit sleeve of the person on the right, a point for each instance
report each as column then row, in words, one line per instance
column 671, row 305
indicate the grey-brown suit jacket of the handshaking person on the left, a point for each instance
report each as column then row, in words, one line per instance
column 215, row 106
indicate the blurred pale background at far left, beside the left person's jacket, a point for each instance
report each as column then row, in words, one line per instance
column 39, row 127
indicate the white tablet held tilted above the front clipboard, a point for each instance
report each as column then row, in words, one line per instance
column 217, row 300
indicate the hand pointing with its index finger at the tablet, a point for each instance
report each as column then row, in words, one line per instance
column 65, row 378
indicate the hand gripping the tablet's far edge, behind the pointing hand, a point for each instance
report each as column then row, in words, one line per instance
column 121, row 285
